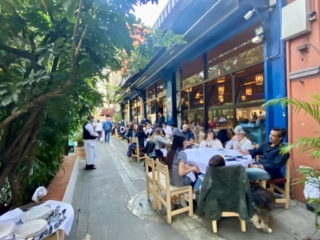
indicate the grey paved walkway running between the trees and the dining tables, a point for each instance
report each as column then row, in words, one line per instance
column 110, row 203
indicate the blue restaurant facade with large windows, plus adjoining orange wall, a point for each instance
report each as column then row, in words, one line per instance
column 235, row 60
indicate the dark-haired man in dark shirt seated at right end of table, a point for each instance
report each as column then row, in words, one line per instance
column 271, row 160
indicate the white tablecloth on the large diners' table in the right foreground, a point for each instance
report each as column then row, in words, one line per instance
column 201, row 157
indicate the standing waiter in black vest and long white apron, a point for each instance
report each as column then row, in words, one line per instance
column 89, row 136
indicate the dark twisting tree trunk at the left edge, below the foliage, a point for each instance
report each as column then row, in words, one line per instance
column 19, row 145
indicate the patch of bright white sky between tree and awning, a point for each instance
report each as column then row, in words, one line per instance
column 149, row 13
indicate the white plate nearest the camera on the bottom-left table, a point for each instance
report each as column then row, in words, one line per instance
column 31, row 228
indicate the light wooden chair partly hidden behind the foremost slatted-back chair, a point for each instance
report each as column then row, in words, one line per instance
column 151, row 179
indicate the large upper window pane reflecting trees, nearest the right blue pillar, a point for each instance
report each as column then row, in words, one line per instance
column 219, row 67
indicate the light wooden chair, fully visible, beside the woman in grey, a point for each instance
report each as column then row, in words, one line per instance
column 171, row 191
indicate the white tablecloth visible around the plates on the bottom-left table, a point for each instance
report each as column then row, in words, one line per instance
column 15, row 215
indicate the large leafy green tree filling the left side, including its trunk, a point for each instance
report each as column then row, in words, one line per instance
column 50, row 54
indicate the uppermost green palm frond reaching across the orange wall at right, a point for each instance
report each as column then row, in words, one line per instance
column 313, row 109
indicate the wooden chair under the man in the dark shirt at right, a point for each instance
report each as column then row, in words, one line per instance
column 286, row 191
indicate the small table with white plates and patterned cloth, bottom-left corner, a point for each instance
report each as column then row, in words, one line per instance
column 38, row 222
